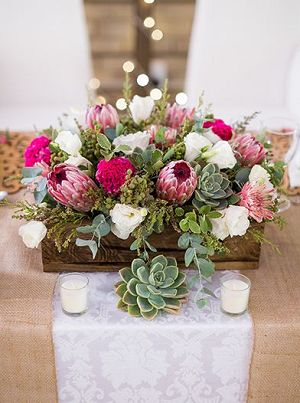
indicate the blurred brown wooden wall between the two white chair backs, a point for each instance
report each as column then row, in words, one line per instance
column 117, row 34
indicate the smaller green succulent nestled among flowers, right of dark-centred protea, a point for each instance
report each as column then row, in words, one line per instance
column 213, row 187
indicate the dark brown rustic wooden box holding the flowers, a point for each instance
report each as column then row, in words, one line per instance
column 115, row 254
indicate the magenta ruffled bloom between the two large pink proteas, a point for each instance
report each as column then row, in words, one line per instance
column 112, row 174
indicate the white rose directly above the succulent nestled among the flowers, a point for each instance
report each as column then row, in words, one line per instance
column 221, row 154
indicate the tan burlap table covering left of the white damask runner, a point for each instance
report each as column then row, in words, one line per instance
column 27, row 370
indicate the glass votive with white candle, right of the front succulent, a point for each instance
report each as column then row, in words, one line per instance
column 235, row 289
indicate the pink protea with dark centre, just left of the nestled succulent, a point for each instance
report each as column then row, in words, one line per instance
column 176, row 182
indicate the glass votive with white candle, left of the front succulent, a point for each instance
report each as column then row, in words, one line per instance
column 74, row 294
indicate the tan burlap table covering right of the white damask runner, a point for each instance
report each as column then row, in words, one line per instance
column 275, row 309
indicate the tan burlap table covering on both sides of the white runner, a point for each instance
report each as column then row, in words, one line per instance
column 27, row 368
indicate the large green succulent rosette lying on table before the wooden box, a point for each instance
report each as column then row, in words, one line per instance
column 147, row 288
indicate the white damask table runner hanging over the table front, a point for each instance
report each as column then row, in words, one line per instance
column 200, row 356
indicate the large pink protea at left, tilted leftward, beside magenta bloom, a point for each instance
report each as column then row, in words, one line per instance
column 69, row 186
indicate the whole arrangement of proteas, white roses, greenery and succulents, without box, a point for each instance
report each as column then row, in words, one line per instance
column 154, row 166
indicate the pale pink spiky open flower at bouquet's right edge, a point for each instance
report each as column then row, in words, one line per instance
column 258, row 200
